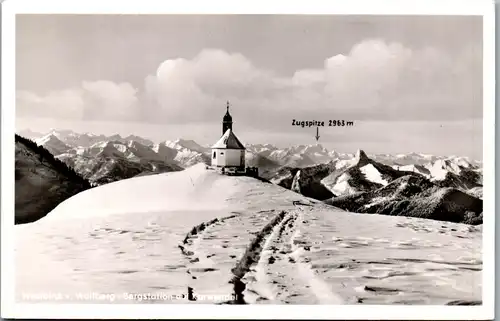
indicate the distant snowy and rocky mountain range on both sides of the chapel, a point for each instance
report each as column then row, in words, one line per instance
column 355, row 182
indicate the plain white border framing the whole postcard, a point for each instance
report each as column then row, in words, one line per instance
column 10, row 309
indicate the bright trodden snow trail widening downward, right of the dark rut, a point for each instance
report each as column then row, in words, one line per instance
column 282, row 275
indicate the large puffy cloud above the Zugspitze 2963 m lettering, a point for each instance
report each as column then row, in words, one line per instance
column 384, row 81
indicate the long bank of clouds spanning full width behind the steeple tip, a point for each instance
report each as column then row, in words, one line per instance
column 375, row 80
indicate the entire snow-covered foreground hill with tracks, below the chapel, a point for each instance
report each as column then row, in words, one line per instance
column 237, row 239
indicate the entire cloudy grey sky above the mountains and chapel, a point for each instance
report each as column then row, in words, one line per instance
column 409, row 83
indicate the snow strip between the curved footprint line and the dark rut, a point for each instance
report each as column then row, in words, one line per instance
column 217, row 249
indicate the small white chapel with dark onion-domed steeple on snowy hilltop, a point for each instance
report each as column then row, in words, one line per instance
column 228, row 152
